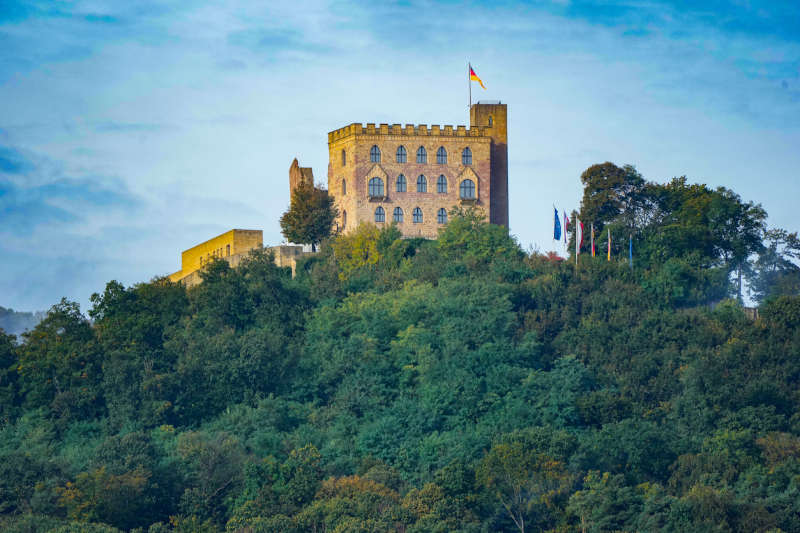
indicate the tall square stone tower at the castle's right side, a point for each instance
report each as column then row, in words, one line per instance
column 493, row 117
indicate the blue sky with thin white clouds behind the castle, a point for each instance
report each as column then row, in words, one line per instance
column 130, row 131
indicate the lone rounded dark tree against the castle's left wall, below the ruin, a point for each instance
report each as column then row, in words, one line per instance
column 310, row 216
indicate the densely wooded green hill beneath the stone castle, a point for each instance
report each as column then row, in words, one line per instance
column 456, row 385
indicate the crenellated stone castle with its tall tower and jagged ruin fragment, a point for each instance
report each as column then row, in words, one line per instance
column 414, row 175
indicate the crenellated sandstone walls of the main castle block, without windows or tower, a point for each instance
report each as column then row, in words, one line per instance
column 349, row 182
